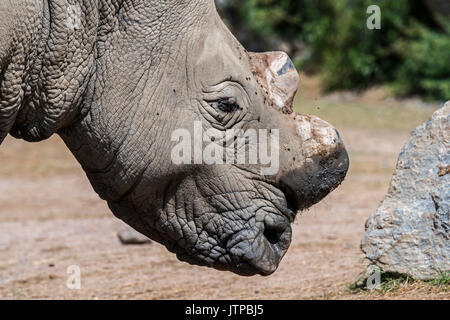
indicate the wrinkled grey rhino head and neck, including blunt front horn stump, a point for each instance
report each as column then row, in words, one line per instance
column 115, row 89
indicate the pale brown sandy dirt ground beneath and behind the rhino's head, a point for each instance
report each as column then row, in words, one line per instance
column 50, row 219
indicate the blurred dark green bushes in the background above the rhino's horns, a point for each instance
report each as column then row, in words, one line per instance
column 410, row 53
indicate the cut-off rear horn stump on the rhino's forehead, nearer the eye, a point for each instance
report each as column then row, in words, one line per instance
column 276, row 71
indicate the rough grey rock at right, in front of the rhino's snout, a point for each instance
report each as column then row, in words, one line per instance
column 410, row 231
